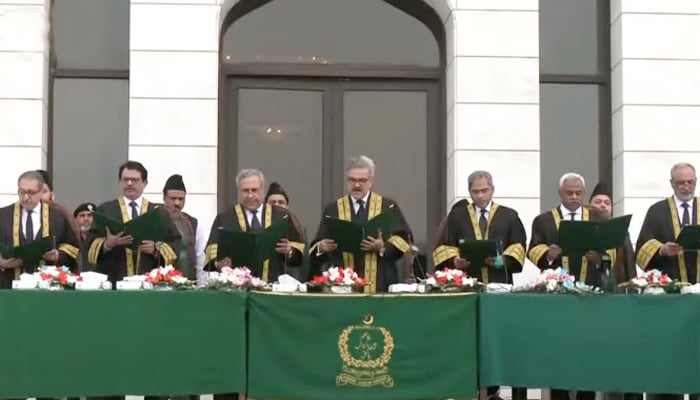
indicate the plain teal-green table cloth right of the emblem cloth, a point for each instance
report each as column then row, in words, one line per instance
column 612, row 343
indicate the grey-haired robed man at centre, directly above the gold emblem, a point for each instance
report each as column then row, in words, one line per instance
column 378, row 262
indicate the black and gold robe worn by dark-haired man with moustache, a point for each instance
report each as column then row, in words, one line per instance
column 123, row 261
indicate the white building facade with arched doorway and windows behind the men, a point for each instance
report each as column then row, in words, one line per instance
column 431, row 89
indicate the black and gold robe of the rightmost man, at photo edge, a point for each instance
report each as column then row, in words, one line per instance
column 661, row 225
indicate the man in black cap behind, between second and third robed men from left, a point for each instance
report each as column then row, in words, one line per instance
column 192, row 261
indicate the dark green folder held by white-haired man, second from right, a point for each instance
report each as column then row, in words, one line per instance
column 580, row 237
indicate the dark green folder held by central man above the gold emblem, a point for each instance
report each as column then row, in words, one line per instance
column 348, row 235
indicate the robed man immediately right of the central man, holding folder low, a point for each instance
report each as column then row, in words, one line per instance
column 500, row 223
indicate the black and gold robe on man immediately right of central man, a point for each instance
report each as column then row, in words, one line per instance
column 503, row 225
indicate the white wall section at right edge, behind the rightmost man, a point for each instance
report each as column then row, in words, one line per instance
column 655, row 61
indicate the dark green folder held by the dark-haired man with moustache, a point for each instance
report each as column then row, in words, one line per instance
column 153, row 225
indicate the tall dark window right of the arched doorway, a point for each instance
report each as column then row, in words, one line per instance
column 575, row 110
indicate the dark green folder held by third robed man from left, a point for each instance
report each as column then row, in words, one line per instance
column 251, row 248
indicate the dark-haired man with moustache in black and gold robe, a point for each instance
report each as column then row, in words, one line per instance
column 122, row 260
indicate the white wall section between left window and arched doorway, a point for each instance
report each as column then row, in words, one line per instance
column 173, row 93
